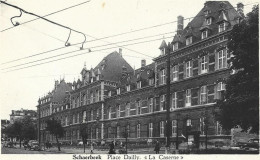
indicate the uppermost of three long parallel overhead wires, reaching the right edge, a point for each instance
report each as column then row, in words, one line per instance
column 107, row 36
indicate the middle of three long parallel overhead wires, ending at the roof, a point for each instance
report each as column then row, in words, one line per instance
column 85, row 49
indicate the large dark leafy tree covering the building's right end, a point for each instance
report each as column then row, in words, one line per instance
column 240, row 106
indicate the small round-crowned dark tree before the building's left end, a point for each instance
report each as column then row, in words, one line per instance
column 55, row 128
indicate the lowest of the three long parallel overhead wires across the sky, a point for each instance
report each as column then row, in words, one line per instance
column 82, row 54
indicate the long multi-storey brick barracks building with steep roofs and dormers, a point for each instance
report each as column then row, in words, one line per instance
column 112, row 100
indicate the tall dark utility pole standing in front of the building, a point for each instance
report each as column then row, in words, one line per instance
column 168, row 80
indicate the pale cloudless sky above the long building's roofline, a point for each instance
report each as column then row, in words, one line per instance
column 98, row 18
